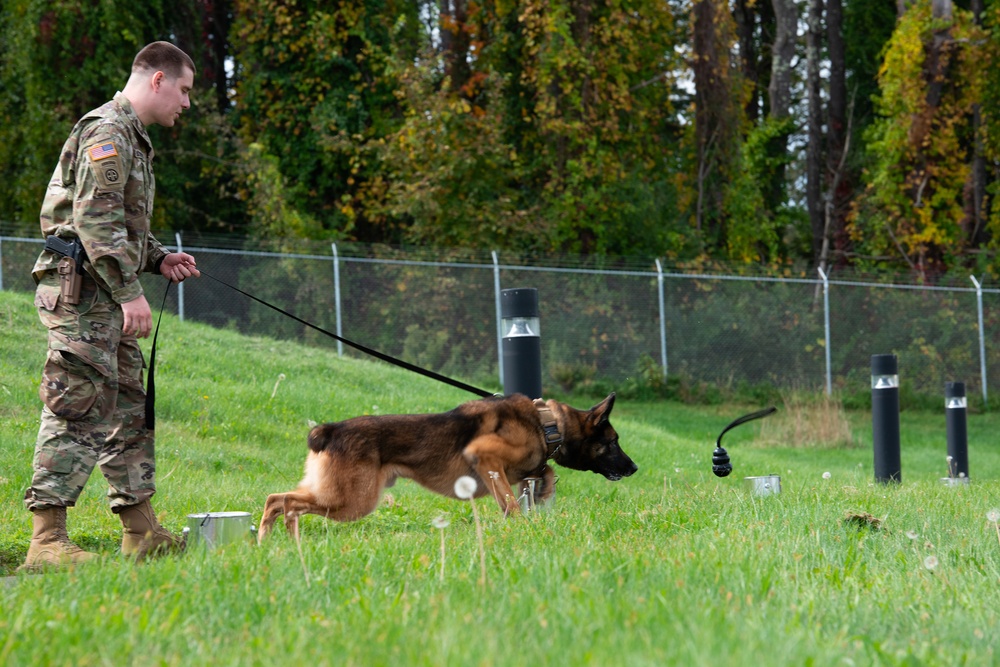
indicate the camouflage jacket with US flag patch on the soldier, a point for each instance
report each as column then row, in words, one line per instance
column 102, row 193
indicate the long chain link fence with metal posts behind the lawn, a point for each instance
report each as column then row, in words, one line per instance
column 602, row 321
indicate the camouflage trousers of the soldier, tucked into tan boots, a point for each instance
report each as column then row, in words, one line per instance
column 94, row 403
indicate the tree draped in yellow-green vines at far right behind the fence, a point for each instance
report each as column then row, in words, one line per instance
column 930, row 80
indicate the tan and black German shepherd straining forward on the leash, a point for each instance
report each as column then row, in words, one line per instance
column 499, row 442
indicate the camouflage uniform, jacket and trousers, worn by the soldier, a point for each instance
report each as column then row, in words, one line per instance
column 102, row 193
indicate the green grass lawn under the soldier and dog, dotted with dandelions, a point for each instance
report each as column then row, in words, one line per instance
column 670, row 566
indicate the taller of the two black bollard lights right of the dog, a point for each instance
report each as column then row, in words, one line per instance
column 885, row 417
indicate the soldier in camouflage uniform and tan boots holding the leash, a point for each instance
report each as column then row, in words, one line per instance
column 100, row 200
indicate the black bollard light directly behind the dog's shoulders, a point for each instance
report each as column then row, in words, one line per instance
column 521, row 342
